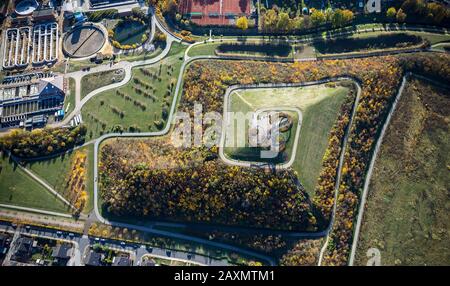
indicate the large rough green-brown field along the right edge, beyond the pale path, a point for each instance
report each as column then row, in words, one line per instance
column 407, row 212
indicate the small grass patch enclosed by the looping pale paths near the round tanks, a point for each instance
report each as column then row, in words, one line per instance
column 93, row 81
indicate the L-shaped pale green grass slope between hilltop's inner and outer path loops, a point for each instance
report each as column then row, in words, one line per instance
column 320, row 106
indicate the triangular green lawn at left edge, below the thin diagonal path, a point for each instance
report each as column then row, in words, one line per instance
column 17, row 188
